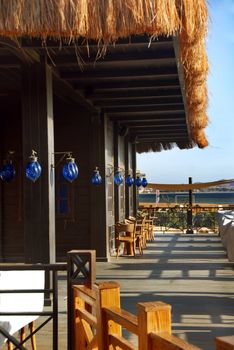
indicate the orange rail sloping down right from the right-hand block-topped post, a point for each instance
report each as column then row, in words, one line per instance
column 166, row 341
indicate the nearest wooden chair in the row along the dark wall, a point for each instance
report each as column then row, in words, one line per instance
column 125, row 233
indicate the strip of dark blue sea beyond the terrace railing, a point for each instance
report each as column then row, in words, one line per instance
column 183, row 197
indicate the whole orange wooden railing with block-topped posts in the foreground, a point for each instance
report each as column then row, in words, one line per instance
column 99, row 319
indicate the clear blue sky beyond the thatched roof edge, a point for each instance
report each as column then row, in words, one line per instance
column 217, row 160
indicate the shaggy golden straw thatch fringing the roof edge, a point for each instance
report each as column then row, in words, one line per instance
column 108, row 20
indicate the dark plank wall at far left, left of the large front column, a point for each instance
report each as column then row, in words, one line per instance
column 11, row 225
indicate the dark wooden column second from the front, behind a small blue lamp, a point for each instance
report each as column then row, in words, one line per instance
column 99, row 239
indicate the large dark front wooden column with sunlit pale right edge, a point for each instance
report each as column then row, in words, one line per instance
column 38, row 134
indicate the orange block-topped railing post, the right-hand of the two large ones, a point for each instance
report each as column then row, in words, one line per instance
column 152, row 317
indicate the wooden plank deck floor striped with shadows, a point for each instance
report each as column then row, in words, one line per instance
column 191, row 273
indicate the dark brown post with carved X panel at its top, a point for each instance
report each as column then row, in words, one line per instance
column 81, row 269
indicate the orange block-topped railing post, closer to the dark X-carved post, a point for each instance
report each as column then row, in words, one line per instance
column 108, row 295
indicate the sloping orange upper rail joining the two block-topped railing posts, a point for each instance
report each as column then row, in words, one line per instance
column 124, row 318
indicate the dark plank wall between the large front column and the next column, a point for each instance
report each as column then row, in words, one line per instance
column 72, row 134
